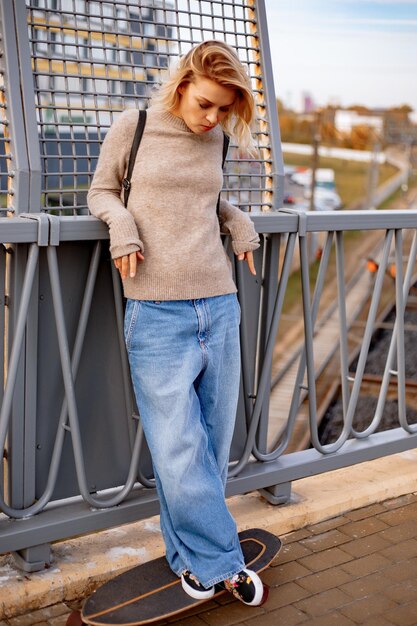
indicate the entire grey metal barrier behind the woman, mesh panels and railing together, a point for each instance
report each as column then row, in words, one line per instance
column 68, row 406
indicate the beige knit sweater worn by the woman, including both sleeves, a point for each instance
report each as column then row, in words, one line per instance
column 171, row 215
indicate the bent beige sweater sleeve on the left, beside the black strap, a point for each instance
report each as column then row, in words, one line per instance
column 104, row 197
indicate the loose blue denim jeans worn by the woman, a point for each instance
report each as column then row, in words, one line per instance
column 185, row 364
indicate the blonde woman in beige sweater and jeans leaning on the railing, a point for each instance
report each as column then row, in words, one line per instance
column 182, row 315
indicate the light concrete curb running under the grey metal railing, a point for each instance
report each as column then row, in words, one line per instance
column 81, row 564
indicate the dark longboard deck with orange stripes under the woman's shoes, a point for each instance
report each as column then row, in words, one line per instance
column 151, row 591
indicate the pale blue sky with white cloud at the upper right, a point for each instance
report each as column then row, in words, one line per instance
column 344, row 52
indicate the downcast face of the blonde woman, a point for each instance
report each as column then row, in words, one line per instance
column 204, row 104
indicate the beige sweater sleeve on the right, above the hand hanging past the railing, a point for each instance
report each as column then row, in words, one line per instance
column 238, row 224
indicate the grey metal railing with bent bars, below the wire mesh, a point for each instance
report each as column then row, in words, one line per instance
column 253, row 466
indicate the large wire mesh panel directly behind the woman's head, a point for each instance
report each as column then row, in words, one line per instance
column 91, row 60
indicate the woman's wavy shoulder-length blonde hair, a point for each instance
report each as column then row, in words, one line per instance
column 217, row 61
